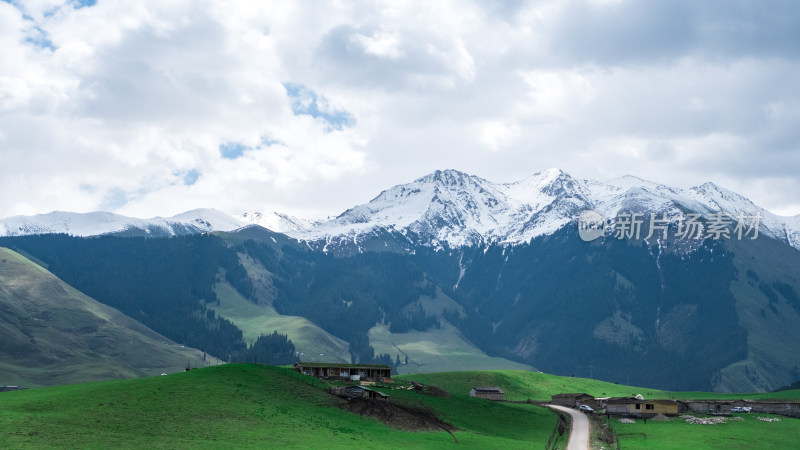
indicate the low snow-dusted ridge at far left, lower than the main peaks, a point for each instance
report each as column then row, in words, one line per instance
column 98, row 223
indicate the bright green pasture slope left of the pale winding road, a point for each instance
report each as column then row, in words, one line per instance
column 245, row 405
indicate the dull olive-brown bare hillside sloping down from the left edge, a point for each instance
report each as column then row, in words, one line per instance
column 52, row 334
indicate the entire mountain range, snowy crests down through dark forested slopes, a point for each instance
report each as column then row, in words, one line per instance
column 453, row 271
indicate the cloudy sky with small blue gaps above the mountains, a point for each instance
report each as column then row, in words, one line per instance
column 152, row 108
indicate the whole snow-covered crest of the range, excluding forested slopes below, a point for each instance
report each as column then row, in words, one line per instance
column 445, row 208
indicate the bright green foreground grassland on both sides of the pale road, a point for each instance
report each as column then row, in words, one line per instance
column 246, row 405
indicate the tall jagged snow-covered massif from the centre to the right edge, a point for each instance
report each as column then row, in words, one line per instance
column 453, row 208
